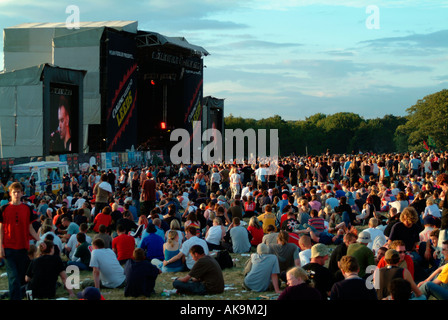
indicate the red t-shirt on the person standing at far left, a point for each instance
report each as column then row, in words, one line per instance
column 16, row 220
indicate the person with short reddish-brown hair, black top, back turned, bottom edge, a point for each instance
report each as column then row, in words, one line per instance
column 353, row 287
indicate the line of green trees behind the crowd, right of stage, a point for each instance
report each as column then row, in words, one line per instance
column 424, row 127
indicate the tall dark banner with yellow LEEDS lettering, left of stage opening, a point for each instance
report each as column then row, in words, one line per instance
column 121, row 79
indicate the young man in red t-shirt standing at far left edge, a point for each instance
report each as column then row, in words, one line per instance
column 16, row 231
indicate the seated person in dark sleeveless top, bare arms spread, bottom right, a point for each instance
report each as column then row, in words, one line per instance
column 383, row 276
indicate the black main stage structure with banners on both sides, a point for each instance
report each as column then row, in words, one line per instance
column 150, row 85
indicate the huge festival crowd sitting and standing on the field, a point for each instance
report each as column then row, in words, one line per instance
column 358, row 226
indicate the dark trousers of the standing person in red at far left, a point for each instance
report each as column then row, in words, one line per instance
column 16, row 264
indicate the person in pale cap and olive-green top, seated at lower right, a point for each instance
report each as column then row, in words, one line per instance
column 362, row 253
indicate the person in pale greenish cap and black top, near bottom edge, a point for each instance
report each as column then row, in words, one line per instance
column 319, row 274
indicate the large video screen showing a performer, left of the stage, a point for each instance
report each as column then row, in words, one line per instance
column 64, row 113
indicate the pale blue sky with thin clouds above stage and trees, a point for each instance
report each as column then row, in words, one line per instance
column 292, row 58
